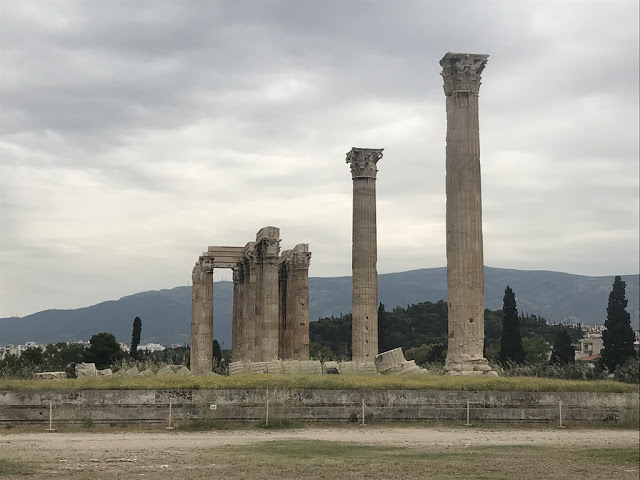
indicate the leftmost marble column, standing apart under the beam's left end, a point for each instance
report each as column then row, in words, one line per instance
column 202, row 316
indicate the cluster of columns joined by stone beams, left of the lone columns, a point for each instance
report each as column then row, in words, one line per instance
column 270, row 302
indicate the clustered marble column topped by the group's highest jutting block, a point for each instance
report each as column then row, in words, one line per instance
column 267, row 253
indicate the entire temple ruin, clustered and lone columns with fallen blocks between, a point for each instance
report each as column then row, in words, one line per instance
column 270, row 322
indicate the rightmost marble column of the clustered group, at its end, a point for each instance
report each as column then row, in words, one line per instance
column 297, row 305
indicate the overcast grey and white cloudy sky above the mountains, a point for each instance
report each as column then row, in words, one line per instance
column 133, row 134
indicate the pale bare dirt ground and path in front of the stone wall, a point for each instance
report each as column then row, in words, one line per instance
column 187, row 455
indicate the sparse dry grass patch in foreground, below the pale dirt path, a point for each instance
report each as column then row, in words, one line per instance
column 307, row 459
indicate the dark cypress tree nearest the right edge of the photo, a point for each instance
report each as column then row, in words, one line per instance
column 617, row 339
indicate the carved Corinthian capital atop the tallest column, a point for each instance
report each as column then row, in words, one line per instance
column 461, row 72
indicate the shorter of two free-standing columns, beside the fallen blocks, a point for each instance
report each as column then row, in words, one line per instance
column 364, row 342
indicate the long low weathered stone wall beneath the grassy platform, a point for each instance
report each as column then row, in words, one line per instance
column 152, row 406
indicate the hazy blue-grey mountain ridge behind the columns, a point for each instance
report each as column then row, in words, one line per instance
column 166, row 314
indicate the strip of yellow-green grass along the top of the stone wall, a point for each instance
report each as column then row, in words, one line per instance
column 326, row 382
